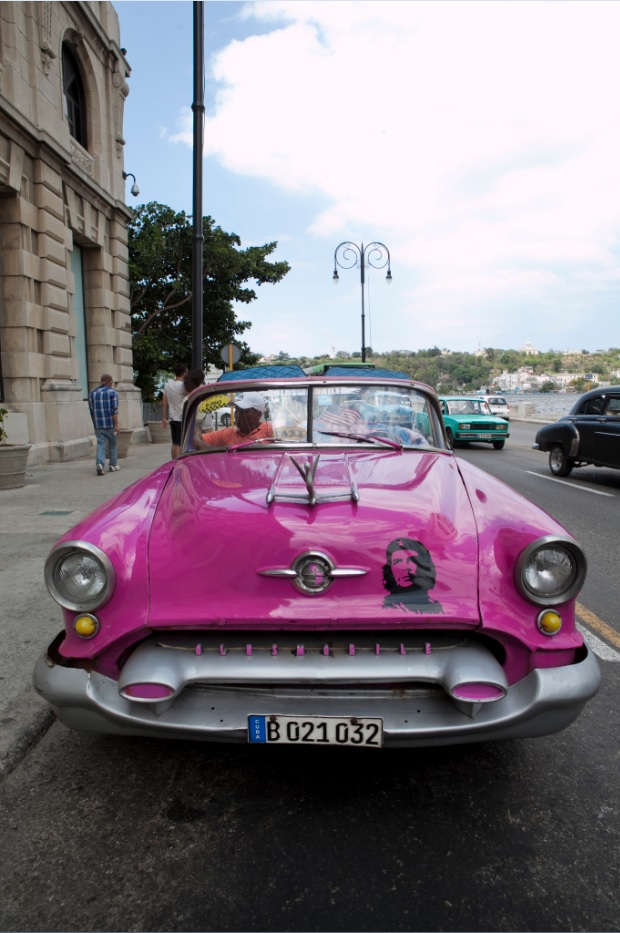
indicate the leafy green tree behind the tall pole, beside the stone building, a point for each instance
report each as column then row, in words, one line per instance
column 160, row 281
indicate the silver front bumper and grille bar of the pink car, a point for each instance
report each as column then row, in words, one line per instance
column 413, row 687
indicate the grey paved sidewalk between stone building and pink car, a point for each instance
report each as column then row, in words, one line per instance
column 56, row 496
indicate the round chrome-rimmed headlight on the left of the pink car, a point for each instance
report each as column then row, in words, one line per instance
column 79, row 576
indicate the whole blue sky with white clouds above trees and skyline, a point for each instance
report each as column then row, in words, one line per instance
column 478, row 139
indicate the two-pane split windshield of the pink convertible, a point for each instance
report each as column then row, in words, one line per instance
column 311, row 414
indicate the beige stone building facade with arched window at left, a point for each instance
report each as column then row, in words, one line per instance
column 64, row 295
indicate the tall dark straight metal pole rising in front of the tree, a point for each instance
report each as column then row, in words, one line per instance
column 198, row 109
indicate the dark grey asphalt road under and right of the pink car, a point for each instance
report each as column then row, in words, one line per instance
column 102, row 833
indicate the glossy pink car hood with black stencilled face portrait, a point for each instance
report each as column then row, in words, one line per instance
column 218, row 550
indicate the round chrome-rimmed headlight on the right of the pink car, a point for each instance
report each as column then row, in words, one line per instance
column 550, row 570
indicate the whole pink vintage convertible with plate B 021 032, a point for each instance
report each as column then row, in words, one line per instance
column 323, row 570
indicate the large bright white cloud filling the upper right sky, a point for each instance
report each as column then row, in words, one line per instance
column 481, row 139
